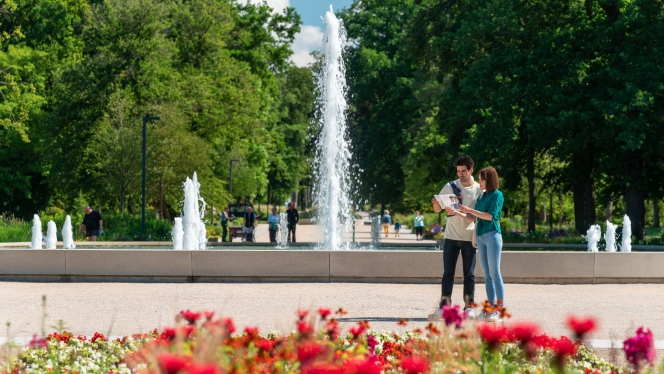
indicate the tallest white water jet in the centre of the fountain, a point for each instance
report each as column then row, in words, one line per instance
column 332, row 179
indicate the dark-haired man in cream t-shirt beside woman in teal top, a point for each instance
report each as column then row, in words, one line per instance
column 458, row 237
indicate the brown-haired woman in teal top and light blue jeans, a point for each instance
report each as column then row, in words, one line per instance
column 489, row 238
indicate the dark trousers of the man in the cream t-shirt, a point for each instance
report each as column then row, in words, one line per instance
column 451, row 250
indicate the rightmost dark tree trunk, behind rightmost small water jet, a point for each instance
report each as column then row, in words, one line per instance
column 635, row 203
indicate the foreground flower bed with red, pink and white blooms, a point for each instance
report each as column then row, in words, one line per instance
column 200, row 343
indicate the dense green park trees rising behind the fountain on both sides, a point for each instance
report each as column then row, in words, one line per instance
column 561, row 96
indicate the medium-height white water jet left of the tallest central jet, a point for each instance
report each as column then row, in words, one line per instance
column 194, row 236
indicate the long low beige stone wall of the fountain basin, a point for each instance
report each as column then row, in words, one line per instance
column 318, row 266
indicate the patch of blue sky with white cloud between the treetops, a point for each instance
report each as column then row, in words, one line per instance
column 310, row 37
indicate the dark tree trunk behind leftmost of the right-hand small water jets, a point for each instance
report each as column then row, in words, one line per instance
column 584, row 190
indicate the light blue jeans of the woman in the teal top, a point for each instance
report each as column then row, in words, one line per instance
column 489, row 246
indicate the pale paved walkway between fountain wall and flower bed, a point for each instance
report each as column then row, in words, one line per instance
column 125, row 308
